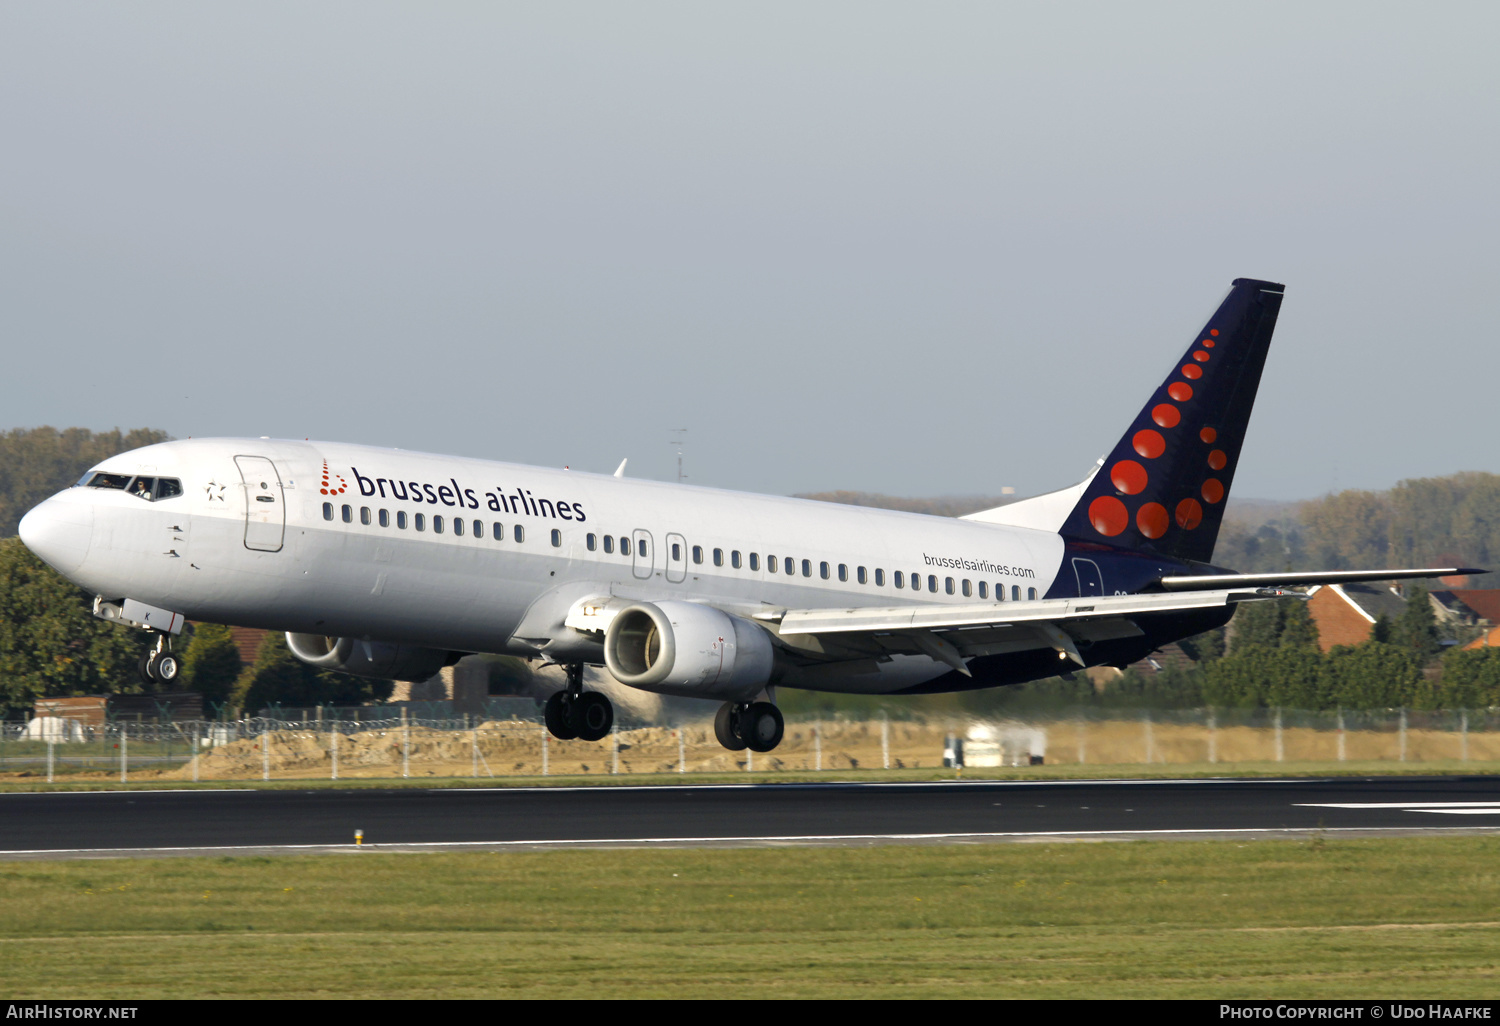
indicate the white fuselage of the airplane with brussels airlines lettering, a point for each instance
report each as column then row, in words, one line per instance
column 487, row 592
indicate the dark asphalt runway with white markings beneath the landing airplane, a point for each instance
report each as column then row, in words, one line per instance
column 199, row 823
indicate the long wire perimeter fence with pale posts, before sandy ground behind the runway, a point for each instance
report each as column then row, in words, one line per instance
column 469, row 748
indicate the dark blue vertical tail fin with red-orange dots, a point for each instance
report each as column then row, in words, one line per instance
column 1165, row 484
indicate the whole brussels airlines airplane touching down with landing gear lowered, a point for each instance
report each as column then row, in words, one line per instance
column 392, row 565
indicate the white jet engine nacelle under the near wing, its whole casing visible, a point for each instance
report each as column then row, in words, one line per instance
column 689, row 650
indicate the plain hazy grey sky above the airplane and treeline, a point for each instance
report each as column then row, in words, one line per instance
column 905, row 248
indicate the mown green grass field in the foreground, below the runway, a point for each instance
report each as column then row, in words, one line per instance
column 1313, row 919
